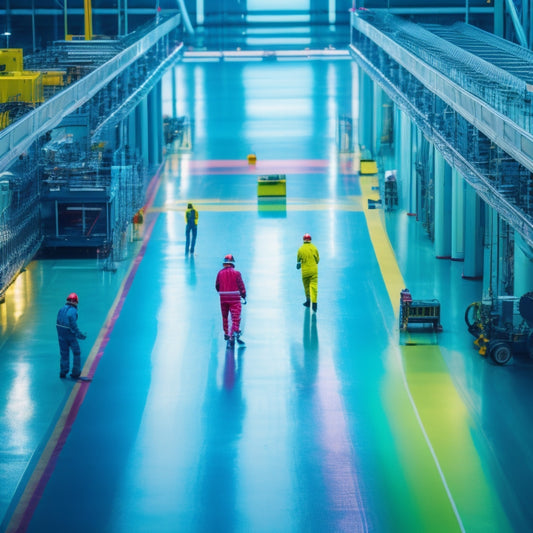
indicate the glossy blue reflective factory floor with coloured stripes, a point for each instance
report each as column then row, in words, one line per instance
column 323, row 422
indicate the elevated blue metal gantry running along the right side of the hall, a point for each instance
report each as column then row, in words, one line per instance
column 470, row 94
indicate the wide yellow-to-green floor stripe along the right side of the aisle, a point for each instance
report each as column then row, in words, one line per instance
column 443, row 418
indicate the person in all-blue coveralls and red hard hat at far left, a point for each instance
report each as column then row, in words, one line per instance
column 68, row 334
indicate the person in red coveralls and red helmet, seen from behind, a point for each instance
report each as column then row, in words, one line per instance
column 231, row 289
